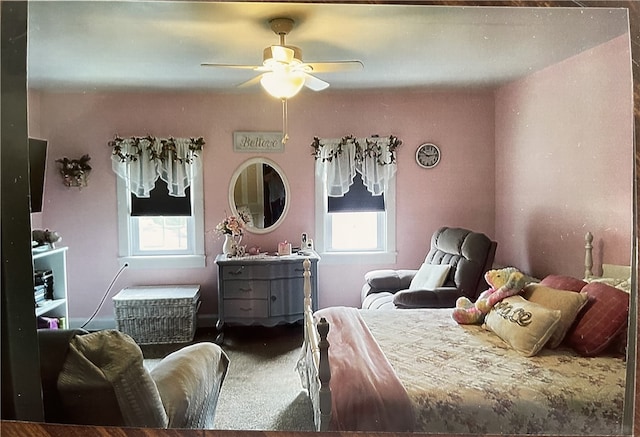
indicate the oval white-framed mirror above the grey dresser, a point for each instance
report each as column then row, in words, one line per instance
column 260, row 192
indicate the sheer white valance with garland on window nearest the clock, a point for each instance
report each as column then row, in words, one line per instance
column 338, row 160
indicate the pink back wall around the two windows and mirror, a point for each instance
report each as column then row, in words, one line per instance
column 459, row 191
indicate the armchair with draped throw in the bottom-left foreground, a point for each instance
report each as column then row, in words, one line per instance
column 99, row 379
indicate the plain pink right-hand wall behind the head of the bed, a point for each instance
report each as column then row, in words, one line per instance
column 564, row 143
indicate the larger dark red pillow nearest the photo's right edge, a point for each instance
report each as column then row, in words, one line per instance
column 602, row 319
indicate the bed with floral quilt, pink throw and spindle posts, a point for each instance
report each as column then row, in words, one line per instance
column 418, row 370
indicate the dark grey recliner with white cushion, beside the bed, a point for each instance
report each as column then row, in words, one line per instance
column 469, row 255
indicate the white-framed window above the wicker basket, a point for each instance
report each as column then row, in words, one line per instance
column 156, row 229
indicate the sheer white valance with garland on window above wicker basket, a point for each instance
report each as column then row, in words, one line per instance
column 142, row 160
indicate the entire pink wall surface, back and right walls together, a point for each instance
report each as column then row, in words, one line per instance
column 534, row 165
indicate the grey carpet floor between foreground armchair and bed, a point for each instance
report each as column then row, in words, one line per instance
column 262, row 390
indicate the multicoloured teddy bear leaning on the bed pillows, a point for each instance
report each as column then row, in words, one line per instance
column 503, row 283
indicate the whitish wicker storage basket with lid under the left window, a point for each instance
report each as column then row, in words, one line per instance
column 157, row 314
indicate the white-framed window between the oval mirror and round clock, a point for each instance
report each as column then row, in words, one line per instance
column 356, row 226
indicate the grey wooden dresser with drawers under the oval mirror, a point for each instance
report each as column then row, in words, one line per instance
column 263, row 290
